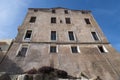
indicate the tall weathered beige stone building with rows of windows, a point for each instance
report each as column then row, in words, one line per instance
column 69, row 40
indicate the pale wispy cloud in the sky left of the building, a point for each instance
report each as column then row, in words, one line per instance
column 9, row 12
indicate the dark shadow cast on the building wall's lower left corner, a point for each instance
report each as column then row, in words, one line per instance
column 9, row 66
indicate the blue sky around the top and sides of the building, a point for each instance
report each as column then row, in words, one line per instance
column 106, row 13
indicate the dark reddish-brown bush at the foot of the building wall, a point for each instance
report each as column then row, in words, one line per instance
column 49, row 72
